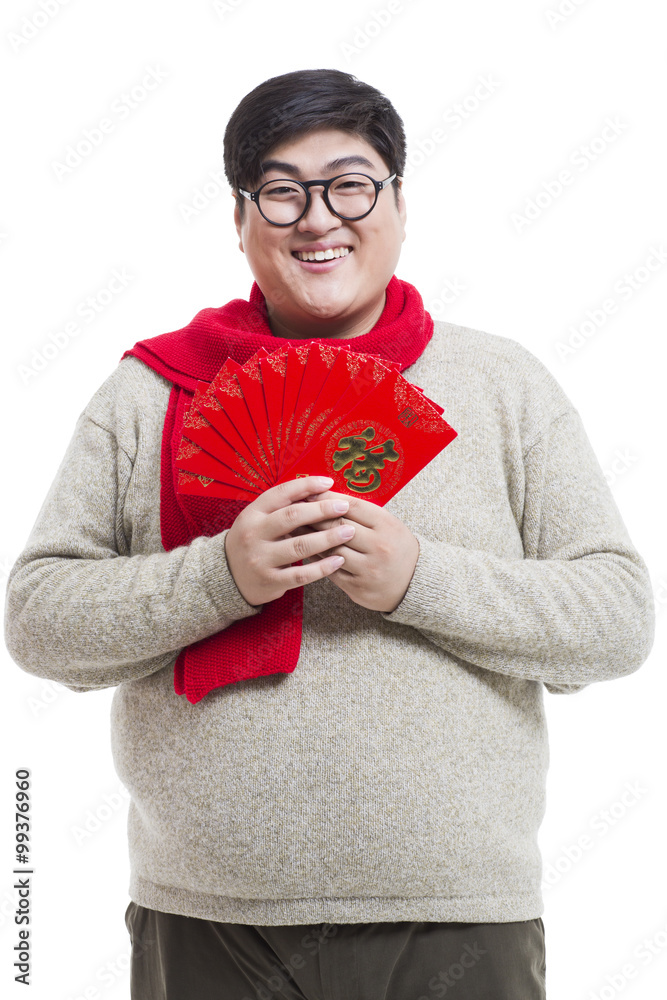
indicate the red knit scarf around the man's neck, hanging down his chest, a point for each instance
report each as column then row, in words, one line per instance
column 268, row 642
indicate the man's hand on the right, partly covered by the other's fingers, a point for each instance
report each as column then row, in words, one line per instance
column 380, row 558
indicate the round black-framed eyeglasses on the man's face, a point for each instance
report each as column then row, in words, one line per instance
column 283, row 202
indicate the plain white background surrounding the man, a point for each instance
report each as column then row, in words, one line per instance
column 554, row 84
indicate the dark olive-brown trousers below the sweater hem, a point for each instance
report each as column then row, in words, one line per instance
column 185, row 958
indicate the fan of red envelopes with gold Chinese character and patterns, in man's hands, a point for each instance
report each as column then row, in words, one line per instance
column 312, row 410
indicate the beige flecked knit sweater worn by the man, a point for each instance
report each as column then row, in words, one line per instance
column 399, row 772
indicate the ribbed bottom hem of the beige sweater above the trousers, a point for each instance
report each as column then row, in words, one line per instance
column 369, row 909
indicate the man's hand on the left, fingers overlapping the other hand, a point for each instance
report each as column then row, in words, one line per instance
column 260, row 549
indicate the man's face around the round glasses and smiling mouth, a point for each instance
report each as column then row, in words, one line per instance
column 341, row 297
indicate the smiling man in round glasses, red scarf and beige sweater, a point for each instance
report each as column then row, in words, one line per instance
column 352, row 806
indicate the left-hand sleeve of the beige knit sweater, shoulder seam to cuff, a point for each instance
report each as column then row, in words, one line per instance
column 79, row 610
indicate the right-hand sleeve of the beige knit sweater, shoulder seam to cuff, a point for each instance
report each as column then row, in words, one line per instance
column 577, row 608
